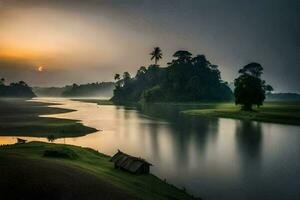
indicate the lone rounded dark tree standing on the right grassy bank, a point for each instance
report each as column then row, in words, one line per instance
column 249, row 88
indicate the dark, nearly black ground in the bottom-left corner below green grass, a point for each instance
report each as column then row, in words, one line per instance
column 23, row 178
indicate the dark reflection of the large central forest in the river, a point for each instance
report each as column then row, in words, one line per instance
column 185, row 131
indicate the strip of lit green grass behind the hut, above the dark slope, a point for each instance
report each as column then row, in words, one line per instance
column 140, row 186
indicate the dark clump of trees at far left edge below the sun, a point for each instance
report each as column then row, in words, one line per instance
column 19, row 89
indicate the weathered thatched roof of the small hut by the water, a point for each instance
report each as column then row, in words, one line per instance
column 128, row 162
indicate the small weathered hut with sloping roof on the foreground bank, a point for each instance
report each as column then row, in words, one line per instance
column 130, row 163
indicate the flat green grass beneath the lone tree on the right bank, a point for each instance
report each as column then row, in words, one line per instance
column 275, row 112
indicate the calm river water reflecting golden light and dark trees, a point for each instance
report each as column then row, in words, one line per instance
column 211, row 158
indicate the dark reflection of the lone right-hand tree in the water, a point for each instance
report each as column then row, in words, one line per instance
column 249, row 139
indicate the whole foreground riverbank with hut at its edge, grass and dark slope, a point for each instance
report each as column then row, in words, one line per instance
column 82, row 173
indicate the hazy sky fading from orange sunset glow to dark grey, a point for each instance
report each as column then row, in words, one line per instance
column 58, row 42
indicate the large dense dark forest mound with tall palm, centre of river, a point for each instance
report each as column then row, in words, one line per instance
column 186, row 78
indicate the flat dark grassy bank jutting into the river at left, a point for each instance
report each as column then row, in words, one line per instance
column 19, row 117
